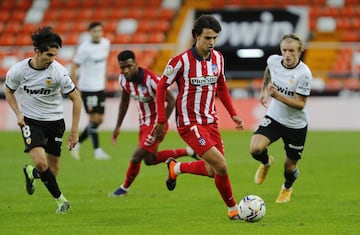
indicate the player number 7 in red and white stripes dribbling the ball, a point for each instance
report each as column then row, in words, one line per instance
column 199, row 74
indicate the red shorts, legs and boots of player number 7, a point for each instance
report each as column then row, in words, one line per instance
column 207, row 143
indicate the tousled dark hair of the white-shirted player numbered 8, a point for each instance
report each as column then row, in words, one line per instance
column 44, row 38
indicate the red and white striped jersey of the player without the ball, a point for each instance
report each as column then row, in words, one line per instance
column 143, row 91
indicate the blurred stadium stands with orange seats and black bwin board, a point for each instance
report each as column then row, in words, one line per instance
column 159, row 29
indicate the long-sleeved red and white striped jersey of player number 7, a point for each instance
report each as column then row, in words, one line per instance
column 198, row 82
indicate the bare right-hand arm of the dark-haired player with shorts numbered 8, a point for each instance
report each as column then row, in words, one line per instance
column 76, row 111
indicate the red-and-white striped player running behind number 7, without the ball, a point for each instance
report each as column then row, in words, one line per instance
column 141, row 83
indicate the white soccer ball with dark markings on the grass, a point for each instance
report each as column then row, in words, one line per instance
column 252, row 208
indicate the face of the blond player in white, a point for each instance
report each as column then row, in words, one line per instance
column 291, row 53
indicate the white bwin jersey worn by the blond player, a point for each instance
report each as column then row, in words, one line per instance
column 289, row 82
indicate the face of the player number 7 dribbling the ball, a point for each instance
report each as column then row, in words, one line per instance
column 205, row 42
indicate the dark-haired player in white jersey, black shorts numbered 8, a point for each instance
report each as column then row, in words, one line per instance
column 41, row 81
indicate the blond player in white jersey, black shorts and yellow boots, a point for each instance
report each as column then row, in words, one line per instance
column 287, row 80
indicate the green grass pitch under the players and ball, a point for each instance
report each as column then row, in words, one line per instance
column 325, row 198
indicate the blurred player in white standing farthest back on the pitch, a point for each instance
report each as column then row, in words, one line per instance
column 88, row 72
